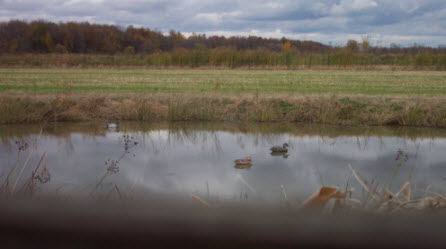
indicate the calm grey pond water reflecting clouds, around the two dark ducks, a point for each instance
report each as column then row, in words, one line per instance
column 180, row 159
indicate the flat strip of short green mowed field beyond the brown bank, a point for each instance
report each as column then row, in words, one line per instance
column 38, row 80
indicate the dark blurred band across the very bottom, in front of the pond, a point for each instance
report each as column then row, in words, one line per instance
column 162, row 223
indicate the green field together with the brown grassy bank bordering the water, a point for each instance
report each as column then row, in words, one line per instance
column 408, row 98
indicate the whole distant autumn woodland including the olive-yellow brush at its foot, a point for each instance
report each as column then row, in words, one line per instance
column 174, row 49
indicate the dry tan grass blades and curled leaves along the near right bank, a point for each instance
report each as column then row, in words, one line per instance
column 332, row 200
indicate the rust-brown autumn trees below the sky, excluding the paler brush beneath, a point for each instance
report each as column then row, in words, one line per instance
column 84, row 38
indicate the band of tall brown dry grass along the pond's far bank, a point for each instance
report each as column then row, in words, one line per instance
column 323, row 109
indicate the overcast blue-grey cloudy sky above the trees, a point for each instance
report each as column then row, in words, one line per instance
column 335, row 21
